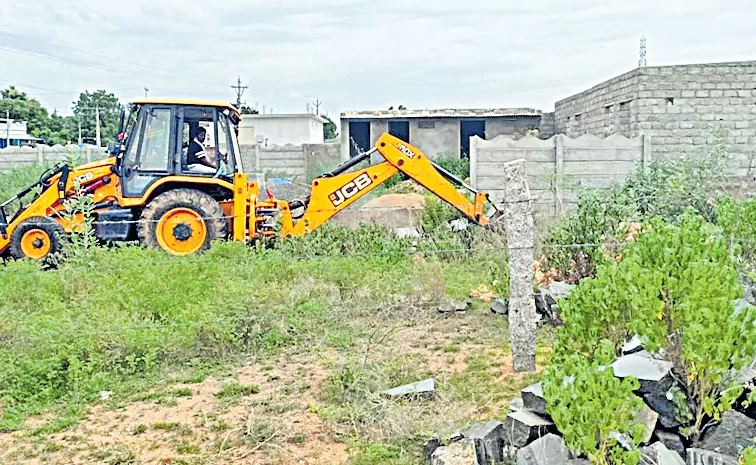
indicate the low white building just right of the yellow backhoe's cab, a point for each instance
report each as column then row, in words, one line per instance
column 281, row 129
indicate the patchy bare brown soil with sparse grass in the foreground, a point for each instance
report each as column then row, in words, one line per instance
column 281, row 410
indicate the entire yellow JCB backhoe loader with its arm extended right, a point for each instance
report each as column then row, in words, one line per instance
column 152, row 189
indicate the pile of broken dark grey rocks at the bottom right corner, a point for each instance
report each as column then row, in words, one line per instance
column 528, row 436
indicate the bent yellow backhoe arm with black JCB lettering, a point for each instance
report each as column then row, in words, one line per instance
column 339, row 189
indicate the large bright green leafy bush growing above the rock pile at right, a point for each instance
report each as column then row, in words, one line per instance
column 674, row 286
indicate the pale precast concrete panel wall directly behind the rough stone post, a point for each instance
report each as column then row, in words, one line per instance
column 557, row 168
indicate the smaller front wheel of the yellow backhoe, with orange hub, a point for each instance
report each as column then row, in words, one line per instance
column 36, row 238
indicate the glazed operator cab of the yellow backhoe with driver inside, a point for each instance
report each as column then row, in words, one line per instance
column 163, row 138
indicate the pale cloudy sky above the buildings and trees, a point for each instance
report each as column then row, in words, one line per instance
column 356, row 54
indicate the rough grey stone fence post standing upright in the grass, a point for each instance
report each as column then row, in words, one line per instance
column 519, row 226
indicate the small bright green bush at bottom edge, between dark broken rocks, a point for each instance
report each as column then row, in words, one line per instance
column 591, row 407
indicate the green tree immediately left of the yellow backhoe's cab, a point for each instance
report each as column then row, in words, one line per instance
column 85, row 111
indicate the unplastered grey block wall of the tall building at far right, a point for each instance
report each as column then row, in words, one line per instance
column 685, row 110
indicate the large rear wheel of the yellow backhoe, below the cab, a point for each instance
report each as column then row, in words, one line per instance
column 181, row 222
